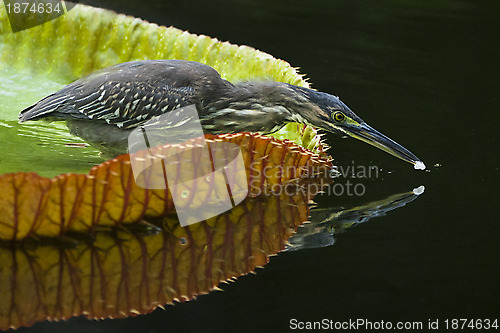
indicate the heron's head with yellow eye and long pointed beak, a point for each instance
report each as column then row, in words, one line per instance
column 329, row 113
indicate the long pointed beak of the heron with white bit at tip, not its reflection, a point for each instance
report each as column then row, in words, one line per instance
column 373, row 137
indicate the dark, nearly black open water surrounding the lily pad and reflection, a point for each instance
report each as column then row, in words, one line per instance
column 424, row 73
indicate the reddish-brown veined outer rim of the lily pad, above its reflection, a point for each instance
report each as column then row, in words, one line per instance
column 108, row 196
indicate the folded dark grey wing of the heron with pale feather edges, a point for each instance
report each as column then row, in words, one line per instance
column 125, row 98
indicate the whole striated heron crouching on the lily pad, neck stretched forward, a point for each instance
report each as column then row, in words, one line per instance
column 104, row 107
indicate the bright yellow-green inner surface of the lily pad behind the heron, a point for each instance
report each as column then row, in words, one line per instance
column 39, row 61
